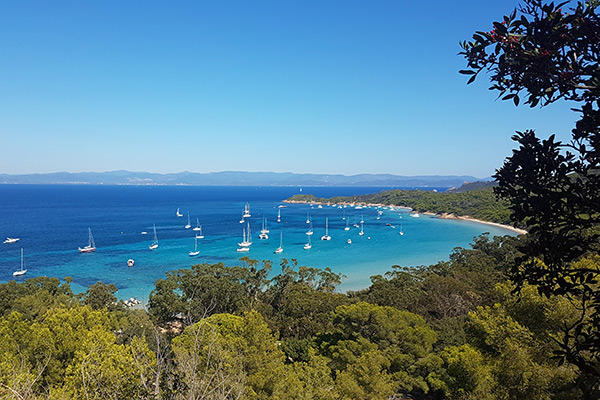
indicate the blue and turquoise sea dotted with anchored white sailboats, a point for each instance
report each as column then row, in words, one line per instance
column 52, row 222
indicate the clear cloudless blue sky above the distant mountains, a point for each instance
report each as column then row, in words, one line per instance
column 301, row 86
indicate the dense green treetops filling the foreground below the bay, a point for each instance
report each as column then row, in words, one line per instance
column 453, row 330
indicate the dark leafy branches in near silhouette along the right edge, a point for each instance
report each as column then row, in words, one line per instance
column 548, row 52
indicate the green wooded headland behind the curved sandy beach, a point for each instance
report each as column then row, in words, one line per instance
column 480, row 203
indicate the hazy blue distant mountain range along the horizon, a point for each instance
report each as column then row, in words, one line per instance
column 236, row 178
